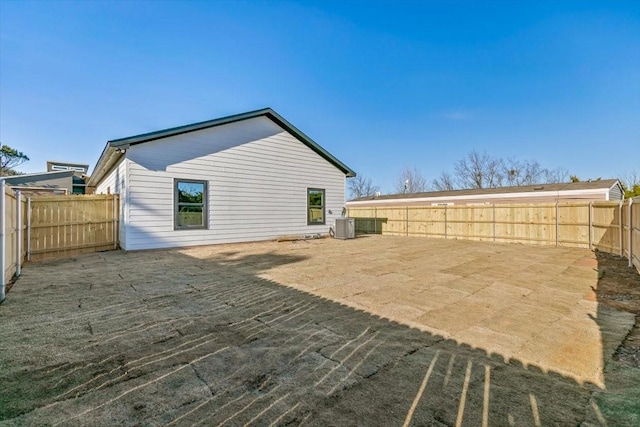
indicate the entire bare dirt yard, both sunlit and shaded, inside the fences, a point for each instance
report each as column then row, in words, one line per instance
column 372, row 331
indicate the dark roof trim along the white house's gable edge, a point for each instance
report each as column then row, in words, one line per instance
column 267, row 112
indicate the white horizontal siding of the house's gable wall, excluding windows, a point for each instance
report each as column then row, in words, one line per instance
column 257, row 177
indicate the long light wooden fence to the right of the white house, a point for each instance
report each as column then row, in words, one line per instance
column 612, row 227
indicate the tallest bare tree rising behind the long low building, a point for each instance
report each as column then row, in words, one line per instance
column 479, row 170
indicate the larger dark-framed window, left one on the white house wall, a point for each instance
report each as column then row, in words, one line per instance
column 190, row 211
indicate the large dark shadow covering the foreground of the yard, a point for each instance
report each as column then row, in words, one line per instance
column 161, row 338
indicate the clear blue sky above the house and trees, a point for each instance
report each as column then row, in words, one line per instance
column 381, row 85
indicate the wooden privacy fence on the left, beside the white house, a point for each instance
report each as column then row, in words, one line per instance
column 35, row 228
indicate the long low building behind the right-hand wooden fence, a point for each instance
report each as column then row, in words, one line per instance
column 601, row 190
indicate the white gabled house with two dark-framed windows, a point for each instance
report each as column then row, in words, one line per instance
column 246, row 177
